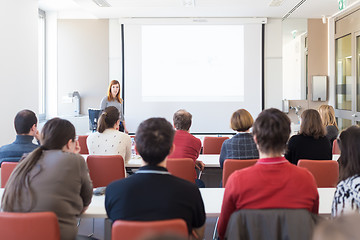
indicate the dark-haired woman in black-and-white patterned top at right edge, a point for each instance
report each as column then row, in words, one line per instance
column 347, row 194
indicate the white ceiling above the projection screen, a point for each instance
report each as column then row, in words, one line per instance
column 190, row 8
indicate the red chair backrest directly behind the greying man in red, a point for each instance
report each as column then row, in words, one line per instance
column 182, row 168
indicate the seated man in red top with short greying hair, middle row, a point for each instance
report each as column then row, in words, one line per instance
column 186, row 145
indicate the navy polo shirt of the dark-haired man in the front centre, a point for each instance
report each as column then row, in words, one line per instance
column 154, row 194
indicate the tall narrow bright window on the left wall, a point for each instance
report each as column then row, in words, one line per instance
column 42, row 62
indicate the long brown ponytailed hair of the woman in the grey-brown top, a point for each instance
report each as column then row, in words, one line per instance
column 56, row 133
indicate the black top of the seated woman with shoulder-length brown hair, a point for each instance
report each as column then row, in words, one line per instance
column 307, row 147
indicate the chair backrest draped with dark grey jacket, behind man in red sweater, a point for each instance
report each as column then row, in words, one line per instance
column 271, row 224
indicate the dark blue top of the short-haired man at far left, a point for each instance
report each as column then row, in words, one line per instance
column 14, row 151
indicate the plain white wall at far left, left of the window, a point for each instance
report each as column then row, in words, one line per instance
column 18, row 62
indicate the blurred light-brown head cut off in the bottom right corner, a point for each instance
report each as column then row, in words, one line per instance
column 341, row 228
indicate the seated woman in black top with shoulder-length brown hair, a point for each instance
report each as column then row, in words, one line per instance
column 311, row 142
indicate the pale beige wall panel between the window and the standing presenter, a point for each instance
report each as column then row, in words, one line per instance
column 83, row 62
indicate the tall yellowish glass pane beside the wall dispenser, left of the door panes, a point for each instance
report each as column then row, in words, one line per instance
column 343, row 73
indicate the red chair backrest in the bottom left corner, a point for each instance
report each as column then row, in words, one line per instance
column 30, row 226
